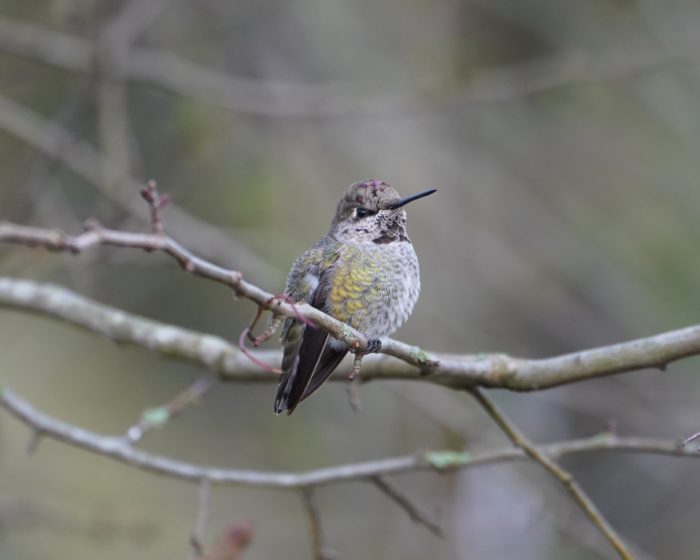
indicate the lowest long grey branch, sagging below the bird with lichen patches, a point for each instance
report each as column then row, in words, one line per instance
column 120, row 450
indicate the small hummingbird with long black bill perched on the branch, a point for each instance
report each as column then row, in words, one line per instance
column 363, row 272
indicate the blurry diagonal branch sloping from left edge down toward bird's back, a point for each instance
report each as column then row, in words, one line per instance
column 90, row 164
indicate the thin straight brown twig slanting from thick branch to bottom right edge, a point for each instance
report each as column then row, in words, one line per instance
column 567, row 480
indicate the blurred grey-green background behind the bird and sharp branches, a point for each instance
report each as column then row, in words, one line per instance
column 564, row 140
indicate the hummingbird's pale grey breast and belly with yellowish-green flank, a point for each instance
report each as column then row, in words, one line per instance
column 375, row 287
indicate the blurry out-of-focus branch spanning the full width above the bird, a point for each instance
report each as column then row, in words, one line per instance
column 285, row 99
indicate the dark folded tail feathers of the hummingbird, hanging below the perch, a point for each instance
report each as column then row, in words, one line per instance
column 315, row 363
